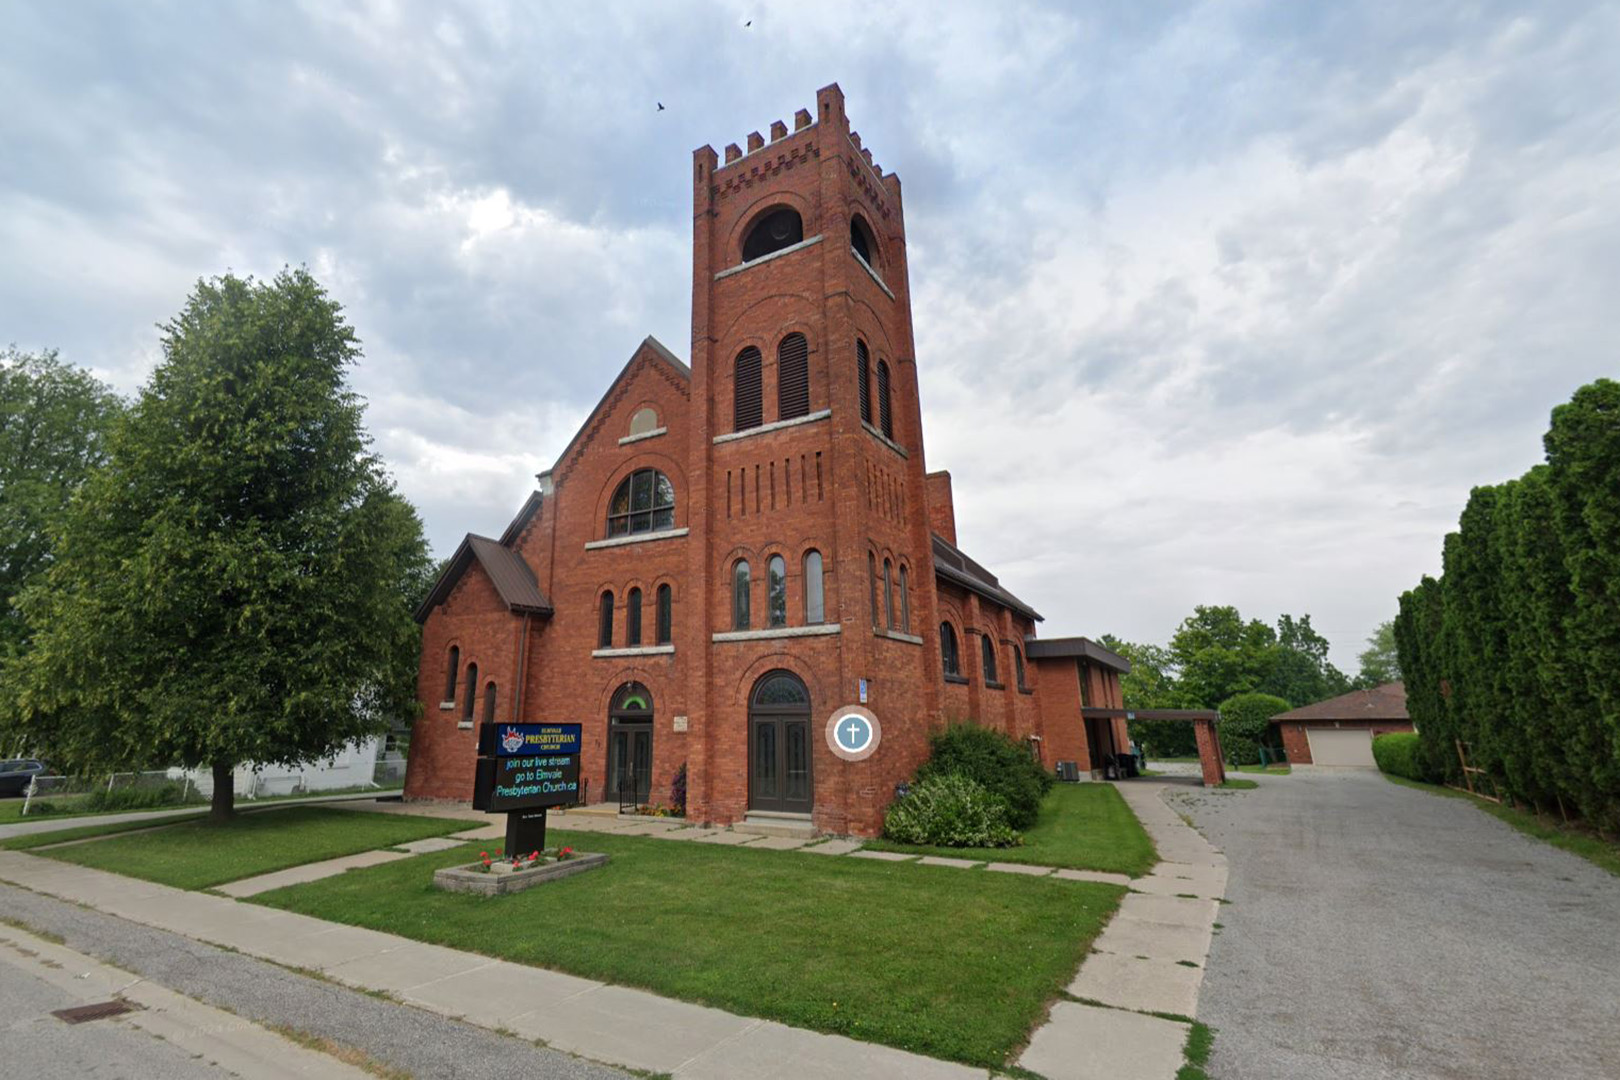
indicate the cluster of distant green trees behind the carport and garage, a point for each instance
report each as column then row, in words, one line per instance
column 1219, row 660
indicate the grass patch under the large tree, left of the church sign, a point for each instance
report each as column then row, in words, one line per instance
column 197, row 856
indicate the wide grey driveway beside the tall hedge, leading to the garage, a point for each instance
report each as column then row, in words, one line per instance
column 1379, row 932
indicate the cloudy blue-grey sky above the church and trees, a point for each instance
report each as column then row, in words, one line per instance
column 1222, row 304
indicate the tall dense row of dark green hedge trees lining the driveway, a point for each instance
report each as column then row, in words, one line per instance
column 1516, row 650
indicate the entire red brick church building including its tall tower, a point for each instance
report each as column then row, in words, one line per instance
column 735, row 555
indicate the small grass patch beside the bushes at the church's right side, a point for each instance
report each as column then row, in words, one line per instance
column 1081, row 827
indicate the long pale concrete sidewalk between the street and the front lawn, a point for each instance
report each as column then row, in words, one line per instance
column 612, row 1024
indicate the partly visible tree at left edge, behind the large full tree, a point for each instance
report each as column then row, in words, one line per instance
column 54, row 422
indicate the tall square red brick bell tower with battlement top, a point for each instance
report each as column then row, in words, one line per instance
column 808, row 438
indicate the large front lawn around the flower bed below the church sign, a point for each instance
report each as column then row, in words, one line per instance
column 949, row 963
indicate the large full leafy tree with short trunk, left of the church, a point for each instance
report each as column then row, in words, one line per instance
column 234, row 584
